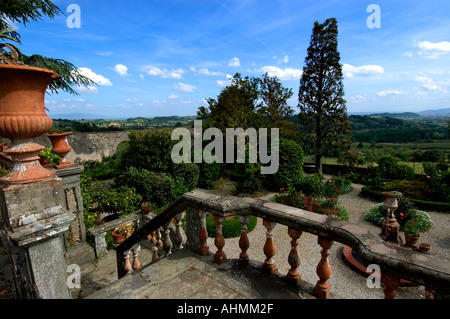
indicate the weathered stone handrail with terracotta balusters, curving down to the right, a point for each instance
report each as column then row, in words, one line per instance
column 395, row 262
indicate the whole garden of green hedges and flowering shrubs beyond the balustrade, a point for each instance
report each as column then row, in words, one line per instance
column 142, row 172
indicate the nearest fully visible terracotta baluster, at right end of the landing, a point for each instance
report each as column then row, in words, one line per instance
column 323, row 270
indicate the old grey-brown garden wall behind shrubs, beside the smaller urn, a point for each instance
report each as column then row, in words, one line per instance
column 90, row 146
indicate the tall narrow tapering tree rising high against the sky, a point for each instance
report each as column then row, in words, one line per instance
column 323, row 112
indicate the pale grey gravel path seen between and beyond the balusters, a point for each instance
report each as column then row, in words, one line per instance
column 345, row 282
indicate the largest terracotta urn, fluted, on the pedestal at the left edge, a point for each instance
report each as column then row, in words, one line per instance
column 22, row 118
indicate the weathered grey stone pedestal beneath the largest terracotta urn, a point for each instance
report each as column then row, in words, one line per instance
column 34, row 221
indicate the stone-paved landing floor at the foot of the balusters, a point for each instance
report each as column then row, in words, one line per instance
column 186, row 275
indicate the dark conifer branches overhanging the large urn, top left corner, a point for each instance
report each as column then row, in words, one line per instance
column 24, row 11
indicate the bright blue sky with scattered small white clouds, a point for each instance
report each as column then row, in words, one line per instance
column 165, row 57
